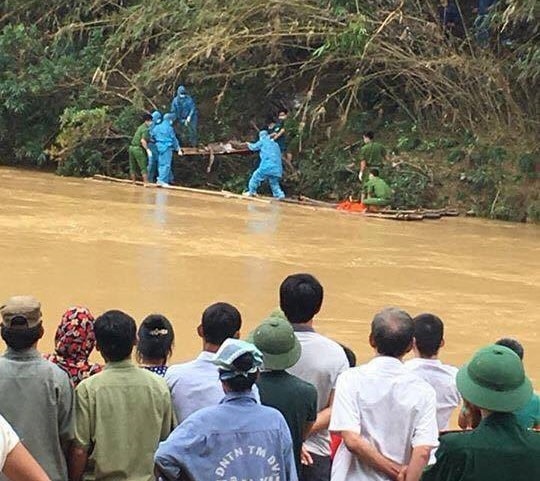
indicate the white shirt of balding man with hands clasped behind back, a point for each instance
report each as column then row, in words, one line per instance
column 390, row 407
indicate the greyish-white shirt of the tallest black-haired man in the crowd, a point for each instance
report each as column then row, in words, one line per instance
column 321, row 362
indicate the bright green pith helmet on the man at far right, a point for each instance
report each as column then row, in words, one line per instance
column 495, row 380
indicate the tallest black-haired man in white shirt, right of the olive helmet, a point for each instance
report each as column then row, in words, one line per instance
column 321, row 362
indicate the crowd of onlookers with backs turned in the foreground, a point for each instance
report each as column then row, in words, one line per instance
column 284, row 404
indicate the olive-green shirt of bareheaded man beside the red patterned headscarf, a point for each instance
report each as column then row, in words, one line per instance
column 121, row 416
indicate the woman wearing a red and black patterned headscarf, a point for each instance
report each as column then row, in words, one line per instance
column 74, row 341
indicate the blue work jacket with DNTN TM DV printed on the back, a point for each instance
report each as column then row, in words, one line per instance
column 237, row 439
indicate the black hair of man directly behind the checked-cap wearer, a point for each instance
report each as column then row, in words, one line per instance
column 220, row 321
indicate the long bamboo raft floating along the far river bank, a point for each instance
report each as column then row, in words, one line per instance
column 301, row 201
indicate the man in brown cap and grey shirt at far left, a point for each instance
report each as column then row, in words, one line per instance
column 36, row 396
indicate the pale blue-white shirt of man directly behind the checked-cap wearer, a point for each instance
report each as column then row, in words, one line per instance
column 195, row 385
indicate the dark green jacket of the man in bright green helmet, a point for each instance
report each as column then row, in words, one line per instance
column 499, row 449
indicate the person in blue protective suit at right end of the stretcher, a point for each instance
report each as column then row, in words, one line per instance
column 270, row 168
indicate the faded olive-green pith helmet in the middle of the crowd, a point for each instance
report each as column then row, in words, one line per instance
column 276, row 340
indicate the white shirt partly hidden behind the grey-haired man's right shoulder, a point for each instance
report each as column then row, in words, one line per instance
column 442, row 378
